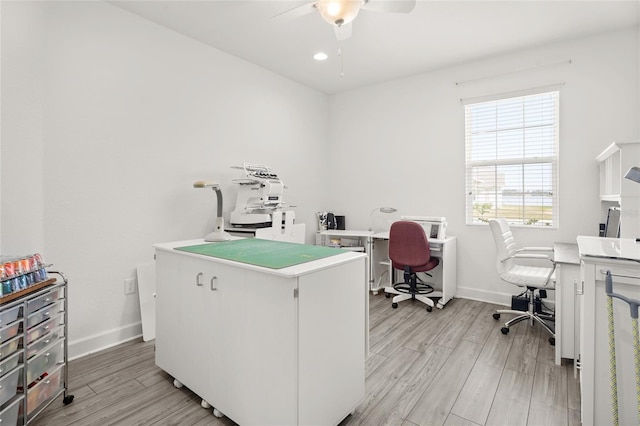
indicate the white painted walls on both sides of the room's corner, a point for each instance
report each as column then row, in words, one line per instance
column 108, row 119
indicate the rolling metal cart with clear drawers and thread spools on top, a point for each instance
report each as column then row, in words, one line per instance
column 33, row 348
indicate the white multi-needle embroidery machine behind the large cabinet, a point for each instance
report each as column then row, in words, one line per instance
column 259, row 195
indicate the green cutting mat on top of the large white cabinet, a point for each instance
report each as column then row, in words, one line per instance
column 267, row 253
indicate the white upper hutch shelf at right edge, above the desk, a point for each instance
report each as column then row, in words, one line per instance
column 615, row 190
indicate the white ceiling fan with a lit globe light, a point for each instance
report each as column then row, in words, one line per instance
column 340, row 13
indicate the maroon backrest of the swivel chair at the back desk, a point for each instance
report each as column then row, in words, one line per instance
column 408, row 244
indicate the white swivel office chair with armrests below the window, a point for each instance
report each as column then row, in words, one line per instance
column 512, row 270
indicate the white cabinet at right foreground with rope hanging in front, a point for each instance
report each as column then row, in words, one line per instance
column 622, row 258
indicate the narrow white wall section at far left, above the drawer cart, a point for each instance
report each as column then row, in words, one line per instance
column 22, row 130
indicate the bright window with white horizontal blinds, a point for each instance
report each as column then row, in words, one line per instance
column 512, row 159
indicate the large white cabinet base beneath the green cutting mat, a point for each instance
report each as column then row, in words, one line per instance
column 264, row 346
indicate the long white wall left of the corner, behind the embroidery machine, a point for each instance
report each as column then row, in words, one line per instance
column 109, row 119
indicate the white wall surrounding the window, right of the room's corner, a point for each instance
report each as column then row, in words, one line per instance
column 401, row 143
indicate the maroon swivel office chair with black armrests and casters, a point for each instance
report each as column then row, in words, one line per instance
column 409, row 251
